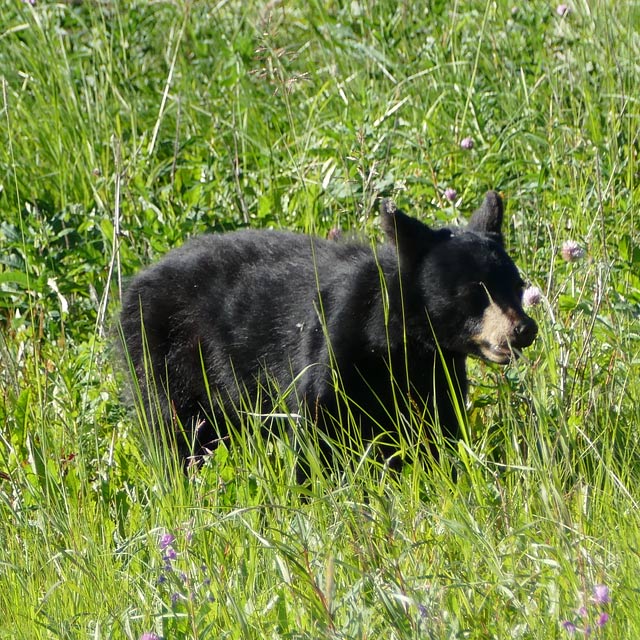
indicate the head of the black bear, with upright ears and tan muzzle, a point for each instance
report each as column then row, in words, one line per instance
column 468, row 287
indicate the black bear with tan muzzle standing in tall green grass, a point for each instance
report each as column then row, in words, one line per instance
column 359, row 335
